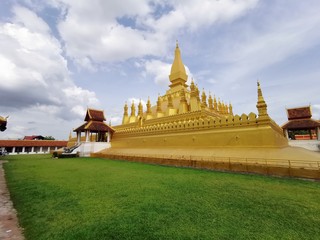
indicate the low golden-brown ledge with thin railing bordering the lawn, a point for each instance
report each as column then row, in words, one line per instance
column 278, row 167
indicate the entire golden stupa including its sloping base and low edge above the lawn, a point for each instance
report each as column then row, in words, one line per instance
column 186, row 128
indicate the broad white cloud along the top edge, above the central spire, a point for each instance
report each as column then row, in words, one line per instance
column 105, row 31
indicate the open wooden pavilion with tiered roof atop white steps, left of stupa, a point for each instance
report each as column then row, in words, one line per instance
column 94, row 124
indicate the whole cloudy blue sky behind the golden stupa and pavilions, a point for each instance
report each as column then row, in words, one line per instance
column 58, row 57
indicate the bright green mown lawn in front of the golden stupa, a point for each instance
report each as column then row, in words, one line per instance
column 89, row 198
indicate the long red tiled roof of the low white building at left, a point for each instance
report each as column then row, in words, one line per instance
column 32, row 143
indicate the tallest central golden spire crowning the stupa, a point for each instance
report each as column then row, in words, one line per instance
column 178, row 76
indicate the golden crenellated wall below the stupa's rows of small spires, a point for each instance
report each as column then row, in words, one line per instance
column 232, row 131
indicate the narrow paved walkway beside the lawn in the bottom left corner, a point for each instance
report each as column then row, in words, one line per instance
column 9, row 229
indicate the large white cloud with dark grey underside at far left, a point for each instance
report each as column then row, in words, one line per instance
column 34, row 73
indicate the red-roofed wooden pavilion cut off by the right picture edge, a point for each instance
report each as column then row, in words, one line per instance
column 300, row 125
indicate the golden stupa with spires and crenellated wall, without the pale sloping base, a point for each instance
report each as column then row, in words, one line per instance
column 184, row 118
